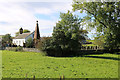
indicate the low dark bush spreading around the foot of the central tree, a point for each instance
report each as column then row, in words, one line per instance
column 53, row 49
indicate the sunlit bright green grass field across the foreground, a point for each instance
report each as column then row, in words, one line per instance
column 22, row 64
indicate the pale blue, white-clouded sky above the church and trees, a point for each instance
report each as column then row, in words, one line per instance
column 14, row 15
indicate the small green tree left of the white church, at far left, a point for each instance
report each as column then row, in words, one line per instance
column 6, row 39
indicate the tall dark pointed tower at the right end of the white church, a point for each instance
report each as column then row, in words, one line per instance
column 36, row 34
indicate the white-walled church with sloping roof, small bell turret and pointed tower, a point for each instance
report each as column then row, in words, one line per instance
column 21, row 39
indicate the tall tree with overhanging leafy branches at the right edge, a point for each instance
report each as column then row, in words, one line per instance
column 103, row 16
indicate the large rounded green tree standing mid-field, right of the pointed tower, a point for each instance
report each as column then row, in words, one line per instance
column 67, row 35
